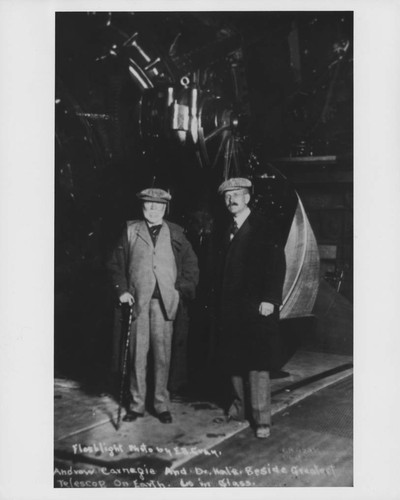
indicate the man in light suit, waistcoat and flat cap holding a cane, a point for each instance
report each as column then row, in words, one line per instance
column 153, row 268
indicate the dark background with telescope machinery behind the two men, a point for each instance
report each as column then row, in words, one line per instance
column 182, row 101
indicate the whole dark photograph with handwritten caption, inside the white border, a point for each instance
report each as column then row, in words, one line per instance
column 203, row 244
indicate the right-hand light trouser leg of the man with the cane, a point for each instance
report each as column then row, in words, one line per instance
column 160, row 338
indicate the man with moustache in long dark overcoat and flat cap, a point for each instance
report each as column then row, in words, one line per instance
column 252, row 276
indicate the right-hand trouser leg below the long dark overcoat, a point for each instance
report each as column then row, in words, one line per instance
column 260, row 396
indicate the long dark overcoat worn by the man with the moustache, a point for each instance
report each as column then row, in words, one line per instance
column 252, row 270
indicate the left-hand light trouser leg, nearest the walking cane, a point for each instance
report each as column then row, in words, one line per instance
column 139, row 348
